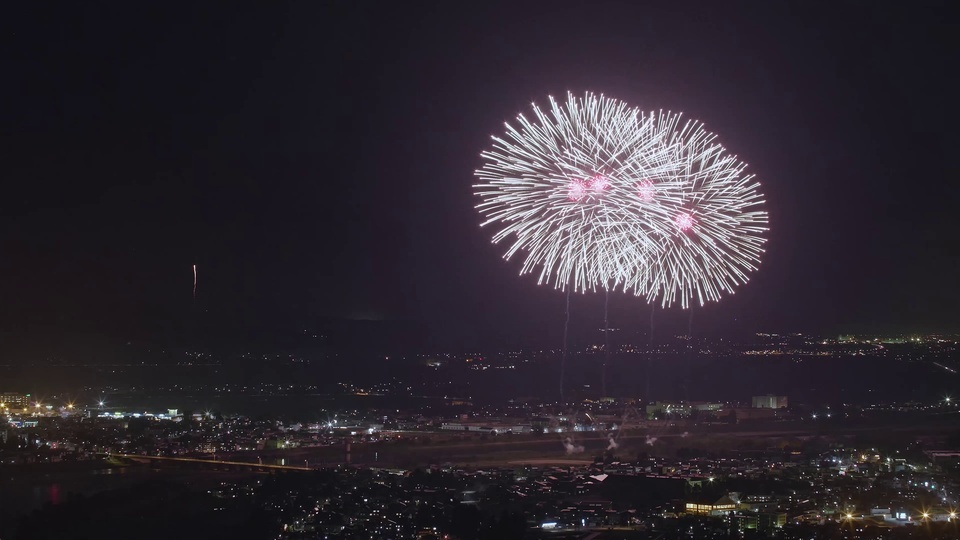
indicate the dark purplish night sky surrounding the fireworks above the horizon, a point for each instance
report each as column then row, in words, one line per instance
column 315, row 159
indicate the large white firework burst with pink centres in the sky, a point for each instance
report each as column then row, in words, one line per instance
column 600, row 195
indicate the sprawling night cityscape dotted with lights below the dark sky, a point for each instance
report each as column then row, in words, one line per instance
column 460, row 444
